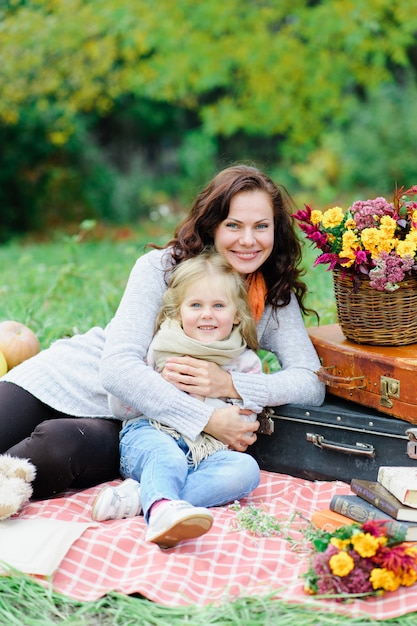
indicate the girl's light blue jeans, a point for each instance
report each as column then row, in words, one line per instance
column 159, row 463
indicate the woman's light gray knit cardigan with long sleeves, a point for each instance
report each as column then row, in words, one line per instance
column 75, row 375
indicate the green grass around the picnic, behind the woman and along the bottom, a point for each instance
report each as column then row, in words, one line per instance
column 70, row 284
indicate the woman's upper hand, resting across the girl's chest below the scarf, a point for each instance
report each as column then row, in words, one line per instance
column 199, row 378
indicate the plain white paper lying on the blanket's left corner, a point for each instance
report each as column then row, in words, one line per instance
column 38, row 545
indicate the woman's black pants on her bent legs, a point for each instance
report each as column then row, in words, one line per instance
column 68, row 452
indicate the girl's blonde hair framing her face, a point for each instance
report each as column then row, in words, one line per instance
column 209, row 263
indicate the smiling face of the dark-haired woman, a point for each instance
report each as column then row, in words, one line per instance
column 246, row 236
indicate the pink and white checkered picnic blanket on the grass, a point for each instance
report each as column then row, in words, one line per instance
column 216, row 568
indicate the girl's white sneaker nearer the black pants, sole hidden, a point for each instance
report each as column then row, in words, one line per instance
column 117, row 502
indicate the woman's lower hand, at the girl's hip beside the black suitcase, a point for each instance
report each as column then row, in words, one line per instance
column 228, row 426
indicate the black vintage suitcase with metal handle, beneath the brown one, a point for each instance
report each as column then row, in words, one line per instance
column 340, row 440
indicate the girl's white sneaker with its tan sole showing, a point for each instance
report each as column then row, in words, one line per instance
column 176, row 520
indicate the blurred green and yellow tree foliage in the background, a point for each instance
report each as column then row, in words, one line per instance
column 110, row 107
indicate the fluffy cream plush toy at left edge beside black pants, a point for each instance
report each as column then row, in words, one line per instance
column 16, row 476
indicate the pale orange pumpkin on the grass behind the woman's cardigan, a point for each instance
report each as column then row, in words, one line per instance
column 17, row 342
